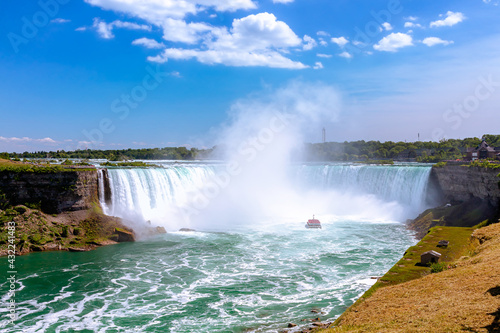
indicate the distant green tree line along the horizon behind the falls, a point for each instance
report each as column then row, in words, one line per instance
column 421, row 151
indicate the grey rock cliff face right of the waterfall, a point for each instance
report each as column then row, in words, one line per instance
column 460, row 183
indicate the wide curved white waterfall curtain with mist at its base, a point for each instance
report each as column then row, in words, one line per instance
column 199, row 196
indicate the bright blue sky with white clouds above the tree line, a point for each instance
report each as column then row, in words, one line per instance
column 127, row 74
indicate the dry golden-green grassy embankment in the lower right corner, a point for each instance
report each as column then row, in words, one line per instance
column 462, row 297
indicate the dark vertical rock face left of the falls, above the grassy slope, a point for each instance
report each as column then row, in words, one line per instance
column 55, row 192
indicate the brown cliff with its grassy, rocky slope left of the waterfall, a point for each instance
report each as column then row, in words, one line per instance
column 54, row 209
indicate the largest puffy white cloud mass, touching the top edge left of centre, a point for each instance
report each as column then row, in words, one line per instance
column 255, row 40
